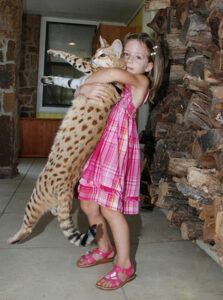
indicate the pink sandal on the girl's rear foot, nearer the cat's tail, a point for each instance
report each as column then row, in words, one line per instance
column 88, row 260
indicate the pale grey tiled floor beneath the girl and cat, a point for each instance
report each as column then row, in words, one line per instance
column 43, row 267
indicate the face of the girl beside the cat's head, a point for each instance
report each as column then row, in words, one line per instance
column 136, row 56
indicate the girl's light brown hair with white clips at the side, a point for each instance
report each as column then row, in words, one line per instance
column 155, row 56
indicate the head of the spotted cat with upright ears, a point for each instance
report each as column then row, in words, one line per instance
column 108, row 56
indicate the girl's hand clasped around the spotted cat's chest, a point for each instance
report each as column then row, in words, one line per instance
column 94, row 91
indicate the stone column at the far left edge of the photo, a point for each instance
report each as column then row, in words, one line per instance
column 10, row 40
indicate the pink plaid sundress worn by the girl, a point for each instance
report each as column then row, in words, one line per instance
column 111, row 176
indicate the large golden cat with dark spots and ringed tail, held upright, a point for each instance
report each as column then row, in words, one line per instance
column 75, row 140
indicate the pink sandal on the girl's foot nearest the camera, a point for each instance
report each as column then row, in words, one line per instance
column 113, row 279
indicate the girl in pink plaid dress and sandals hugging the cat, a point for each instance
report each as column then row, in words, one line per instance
column 109, row 185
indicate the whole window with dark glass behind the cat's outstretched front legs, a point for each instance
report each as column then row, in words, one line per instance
column 70, row 37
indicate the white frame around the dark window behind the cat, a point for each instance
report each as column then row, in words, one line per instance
column 40, row 108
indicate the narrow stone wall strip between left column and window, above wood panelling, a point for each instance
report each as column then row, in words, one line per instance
column 28, row 71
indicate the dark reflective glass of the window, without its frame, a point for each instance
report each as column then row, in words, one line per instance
column 68, row 37
